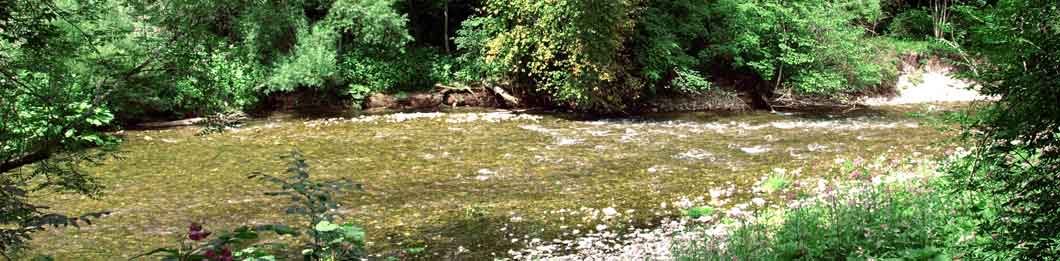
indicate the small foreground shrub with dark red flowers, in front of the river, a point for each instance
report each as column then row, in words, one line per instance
column 311, row 200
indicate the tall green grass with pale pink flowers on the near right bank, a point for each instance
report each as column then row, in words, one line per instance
column 870, row 218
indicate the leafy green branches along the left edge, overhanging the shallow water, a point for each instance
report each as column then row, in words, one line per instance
column 56, row 77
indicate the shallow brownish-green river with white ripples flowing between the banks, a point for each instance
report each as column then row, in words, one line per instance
column 470, row 185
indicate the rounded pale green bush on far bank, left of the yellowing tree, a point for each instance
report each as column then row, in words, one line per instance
column 375, row 27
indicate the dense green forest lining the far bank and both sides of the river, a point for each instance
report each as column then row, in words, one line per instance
column 75, row 74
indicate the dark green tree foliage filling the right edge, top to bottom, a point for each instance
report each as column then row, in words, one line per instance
column 1016, row 160
